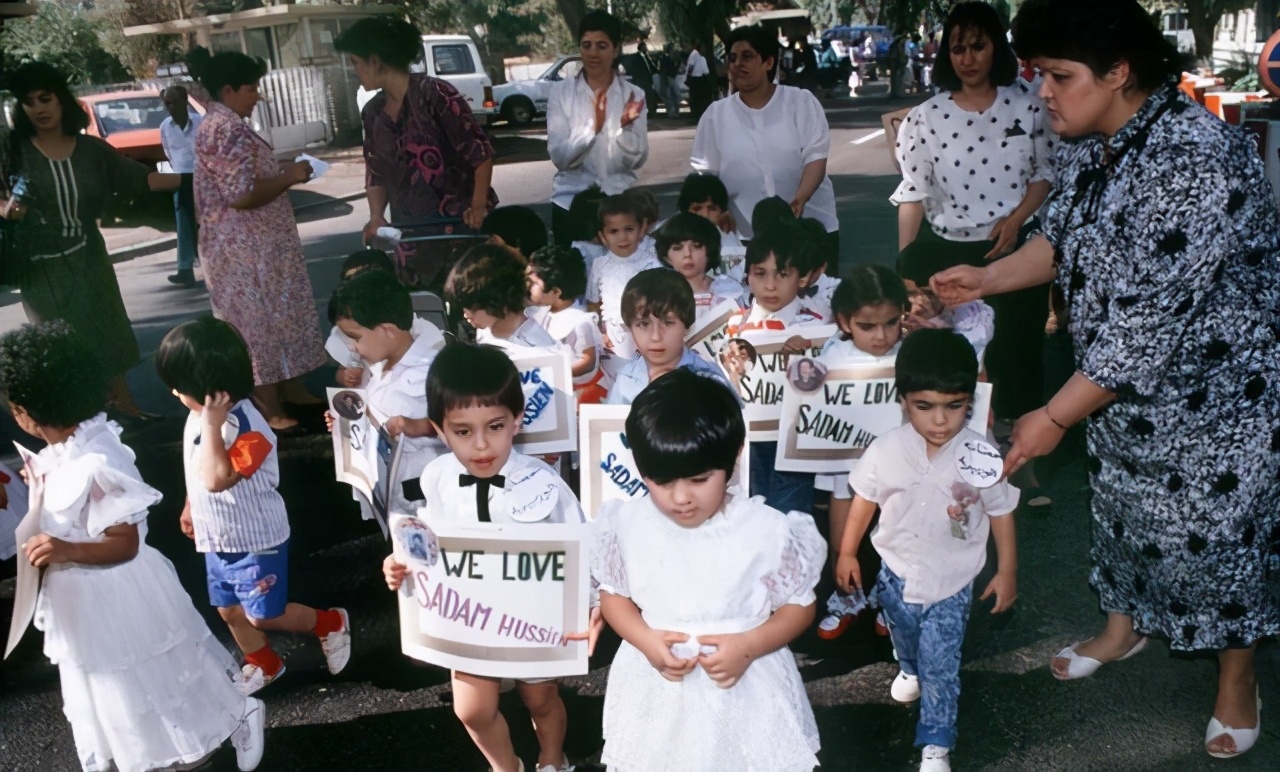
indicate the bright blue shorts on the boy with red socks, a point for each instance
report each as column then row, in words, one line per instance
column 259, row 582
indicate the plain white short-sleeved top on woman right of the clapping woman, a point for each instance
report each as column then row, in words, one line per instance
column 764, row 153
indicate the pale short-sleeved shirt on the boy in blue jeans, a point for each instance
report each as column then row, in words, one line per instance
column 916, row 536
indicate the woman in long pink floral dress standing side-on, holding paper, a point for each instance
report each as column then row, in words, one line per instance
column 254, row 266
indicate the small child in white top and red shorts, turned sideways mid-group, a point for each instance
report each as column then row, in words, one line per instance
column 557, row 278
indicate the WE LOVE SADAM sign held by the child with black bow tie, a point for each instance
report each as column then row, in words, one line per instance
column 495, row 601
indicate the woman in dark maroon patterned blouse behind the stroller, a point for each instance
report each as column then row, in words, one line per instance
column 426, row 154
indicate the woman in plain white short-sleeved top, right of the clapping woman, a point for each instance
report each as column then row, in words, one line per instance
column 769, row 140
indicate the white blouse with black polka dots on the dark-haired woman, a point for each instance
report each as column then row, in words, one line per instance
column 972, row 170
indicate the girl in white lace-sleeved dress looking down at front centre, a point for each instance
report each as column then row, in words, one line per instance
column 705, row 679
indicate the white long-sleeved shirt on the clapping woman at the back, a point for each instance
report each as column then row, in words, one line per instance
column 584, row 158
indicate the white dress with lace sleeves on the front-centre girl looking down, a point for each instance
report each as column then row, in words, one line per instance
column 725, row 577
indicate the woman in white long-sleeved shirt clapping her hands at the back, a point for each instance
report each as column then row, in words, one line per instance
column 597, row 130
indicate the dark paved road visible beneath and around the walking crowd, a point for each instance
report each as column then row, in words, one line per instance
column 386, row 712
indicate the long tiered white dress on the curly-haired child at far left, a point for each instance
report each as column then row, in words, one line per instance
column 145, row 683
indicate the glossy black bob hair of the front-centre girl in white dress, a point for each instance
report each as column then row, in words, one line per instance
column 684, row 426
